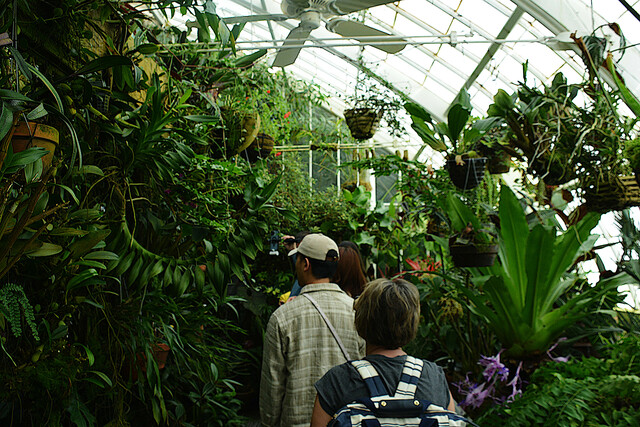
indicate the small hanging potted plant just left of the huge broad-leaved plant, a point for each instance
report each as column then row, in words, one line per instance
column 473, row 242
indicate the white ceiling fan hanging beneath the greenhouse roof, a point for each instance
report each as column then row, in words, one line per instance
column 311, row 14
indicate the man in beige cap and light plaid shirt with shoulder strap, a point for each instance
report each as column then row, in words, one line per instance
column 299, row 347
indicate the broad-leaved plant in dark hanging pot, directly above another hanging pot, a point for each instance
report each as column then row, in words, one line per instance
column 456, row 138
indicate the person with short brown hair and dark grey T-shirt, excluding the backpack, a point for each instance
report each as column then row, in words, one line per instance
column 387, row 317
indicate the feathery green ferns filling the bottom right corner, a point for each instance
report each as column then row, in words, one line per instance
column 588, row 392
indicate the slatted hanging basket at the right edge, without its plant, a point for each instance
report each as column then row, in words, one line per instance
column 617, row 193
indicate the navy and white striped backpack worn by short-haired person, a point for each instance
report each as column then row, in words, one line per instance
column 402, row 409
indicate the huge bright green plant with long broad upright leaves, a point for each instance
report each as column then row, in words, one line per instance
column 528, row 298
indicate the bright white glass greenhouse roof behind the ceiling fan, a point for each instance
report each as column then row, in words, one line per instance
column 479, row 45
